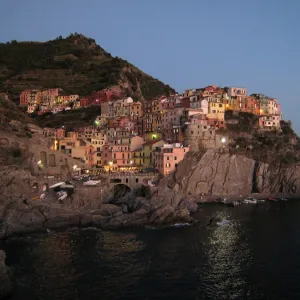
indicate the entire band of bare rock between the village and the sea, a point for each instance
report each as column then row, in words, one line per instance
column 198, row 178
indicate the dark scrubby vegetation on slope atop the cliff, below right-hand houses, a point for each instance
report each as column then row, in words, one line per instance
column 275, row 147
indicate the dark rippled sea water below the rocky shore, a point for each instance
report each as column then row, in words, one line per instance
column 256, row 256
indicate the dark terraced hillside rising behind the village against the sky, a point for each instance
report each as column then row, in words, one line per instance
column 76, row 64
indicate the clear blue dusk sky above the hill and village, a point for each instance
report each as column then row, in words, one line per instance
column 187, row 44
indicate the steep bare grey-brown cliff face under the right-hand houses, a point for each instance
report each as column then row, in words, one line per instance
column 216, row 173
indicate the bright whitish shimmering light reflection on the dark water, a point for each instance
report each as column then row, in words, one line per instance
column 225, row 254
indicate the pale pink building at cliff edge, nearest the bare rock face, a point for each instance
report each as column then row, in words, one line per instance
column 166, row 158
